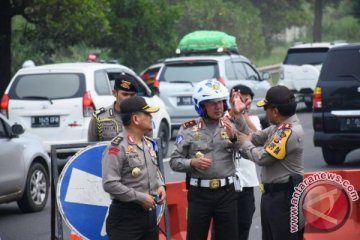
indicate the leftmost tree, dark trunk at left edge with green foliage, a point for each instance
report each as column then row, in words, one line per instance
column 61, row 22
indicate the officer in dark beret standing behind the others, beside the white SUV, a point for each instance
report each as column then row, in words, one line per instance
column 106, row 122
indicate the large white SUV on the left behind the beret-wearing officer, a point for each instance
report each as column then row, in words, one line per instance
column 56, row 101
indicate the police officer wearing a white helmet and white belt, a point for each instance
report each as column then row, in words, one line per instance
column 205, row 151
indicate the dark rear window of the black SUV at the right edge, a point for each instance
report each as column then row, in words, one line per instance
column 347, row 68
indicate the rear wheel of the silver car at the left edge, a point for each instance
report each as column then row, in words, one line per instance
column 36, row 190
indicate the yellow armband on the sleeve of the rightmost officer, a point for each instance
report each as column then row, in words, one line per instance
column 277, row 146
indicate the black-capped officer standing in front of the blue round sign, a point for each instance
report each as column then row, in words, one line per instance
column 131, row 175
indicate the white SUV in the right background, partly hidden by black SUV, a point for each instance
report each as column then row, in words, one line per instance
column 301, row 69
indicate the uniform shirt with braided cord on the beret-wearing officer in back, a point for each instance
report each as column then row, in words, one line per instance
column 104, row 125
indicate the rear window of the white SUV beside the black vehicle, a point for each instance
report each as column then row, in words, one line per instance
column 301, row 56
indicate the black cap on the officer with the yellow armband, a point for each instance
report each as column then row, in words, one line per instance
column 277, row 96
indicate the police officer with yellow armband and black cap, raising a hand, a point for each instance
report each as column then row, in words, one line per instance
column 279, row 150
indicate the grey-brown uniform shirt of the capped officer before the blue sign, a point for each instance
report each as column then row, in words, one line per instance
column 130, row 170
